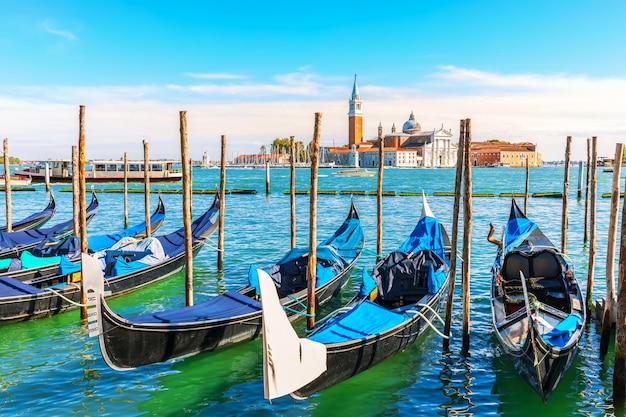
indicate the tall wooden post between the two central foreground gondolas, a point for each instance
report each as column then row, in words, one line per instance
column 312, row 265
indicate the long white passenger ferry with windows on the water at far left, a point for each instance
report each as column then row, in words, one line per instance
column 100, row 171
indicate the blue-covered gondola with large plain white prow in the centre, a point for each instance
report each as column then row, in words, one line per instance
column 396, row 304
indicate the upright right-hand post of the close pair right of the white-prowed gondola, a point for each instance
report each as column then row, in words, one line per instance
column 467, row 233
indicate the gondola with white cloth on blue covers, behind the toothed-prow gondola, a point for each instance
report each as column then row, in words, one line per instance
column 127, row 267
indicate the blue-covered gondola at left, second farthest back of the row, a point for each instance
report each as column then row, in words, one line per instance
column 12, row 244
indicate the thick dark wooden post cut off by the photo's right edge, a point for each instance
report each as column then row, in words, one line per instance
column 619, row 370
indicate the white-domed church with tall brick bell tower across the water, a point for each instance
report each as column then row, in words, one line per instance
column 410, row 148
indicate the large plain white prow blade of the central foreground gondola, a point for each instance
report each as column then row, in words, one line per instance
column 289, row 362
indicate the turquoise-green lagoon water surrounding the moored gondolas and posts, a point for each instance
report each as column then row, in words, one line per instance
column 51, row 366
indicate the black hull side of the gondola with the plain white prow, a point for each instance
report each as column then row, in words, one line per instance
column 345, row 360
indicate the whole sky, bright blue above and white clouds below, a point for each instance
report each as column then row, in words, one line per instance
column 522, row 71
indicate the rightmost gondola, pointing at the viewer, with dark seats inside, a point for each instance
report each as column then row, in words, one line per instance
column 537, row 305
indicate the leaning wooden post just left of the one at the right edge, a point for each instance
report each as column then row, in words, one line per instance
column 607, row 315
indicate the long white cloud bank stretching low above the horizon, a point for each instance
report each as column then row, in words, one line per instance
column 42, row 122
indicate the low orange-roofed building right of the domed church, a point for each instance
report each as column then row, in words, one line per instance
column 497, row 153
